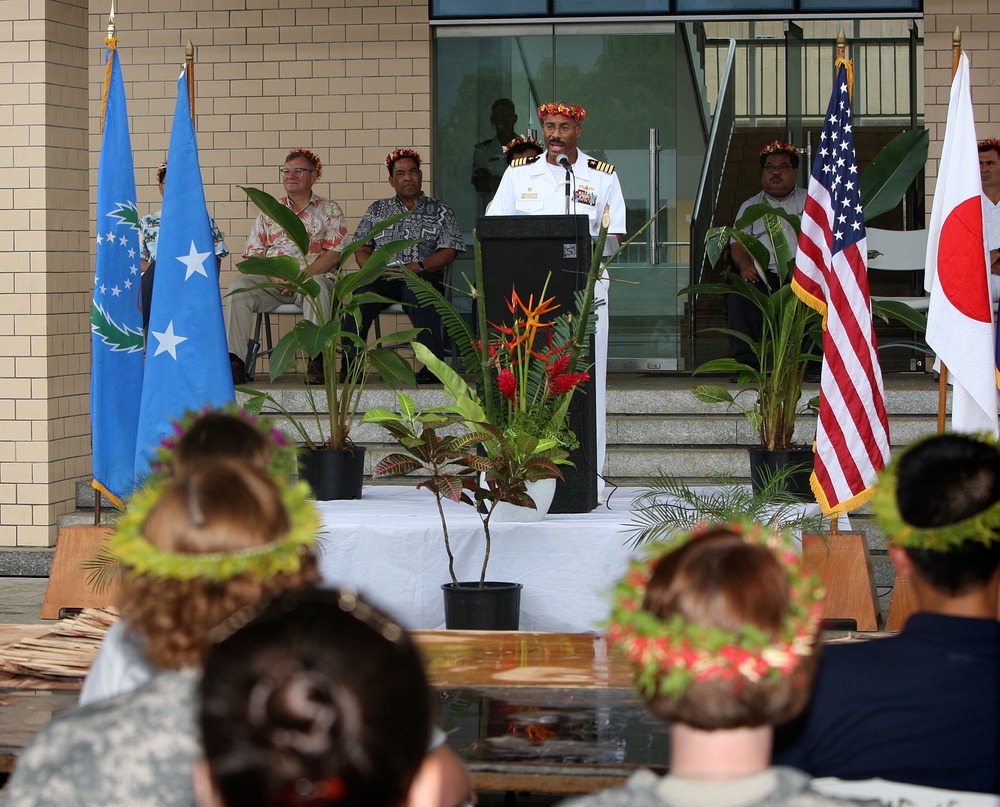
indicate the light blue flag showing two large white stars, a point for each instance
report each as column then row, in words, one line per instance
column 187, row 360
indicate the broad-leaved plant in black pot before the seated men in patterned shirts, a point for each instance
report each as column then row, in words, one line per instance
column 333, row 464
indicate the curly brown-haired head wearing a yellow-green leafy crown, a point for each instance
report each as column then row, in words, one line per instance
column 204, row 545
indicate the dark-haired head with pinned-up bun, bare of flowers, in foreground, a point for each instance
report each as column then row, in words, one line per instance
column 319, row 700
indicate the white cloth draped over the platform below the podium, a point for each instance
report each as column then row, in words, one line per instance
column 389, row 546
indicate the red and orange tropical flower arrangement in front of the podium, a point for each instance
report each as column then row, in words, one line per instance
column 534, row 374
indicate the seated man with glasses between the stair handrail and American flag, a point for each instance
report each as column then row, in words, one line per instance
column 779, row 164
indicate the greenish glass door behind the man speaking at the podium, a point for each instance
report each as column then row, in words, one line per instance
column 641, row 116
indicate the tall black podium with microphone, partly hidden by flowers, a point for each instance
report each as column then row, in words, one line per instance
column 521, row 252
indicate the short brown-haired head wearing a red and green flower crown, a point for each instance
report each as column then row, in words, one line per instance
column 732, row 639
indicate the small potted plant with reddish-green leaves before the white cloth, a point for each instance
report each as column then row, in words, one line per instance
column 457, row 471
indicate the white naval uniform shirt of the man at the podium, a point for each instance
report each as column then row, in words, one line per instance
column 536, row 190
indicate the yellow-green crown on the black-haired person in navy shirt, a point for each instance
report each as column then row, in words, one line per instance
column 983, row 526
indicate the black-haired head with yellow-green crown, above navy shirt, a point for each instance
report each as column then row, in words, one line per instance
column 940, row 501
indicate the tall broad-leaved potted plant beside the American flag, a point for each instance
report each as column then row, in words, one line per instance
column 790, row 330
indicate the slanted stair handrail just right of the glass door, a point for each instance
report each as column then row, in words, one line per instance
column 710, row 183
